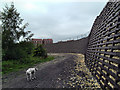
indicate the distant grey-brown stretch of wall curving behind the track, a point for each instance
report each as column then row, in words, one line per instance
column 76, row 46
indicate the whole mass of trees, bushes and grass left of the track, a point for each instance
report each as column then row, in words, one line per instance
column 18, row 51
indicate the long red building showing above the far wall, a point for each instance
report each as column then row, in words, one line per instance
column 42, row 41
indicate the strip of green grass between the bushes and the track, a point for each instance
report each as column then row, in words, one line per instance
column 16, row 65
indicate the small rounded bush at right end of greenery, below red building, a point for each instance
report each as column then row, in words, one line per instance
column 39, row 51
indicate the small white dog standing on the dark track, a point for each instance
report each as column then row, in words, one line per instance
column 30, row 73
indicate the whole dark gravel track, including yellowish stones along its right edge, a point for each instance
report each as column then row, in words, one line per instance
column 65, row 71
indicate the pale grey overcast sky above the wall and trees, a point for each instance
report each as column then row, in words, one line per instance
column 57, row 20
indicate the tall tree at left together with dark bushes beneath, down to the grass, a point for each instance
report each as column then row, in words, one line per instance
column 12, row 32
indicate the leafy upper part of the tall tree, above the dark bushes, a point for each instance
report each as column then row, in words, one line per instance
column 12, row 28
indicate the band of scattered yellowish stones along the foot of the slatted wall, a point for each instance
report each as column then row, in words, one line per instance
column 81, row 77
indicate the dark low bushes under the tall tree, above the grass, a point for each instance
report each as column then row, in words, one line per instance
column 18, row 51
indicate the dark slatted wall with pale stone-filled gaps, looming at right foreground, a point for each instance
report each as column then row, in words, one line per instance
column 103, row 52
